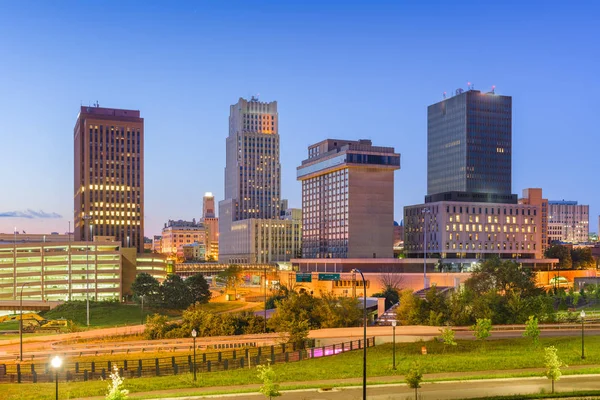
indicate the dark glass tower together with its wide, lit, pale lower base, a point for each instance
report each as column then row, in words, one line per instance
column 470, row 212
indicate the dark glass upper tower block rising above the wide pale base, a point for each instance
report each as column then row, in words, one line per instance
column 469, row 146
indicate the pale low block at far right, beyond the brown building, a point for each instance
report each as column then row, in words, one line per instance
column 568, row 222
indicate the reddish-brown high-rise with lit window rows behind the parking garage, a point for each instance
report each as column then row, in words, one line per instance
column 109, row 175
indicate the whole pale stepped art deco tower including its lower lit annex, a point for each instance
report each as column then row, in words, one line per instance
column 251, row 228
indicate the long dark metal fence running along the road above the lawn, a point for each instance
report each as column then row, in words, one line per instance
column 205, row 362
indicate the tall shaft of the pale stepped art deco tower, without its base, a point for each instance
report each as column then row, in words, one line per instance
column 253, row 171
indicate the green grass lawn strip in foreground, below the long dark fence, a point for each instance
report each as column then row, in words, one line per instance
column 477, row 360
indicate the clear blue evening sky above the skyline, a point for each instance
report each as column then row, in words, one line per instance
column 338, row 69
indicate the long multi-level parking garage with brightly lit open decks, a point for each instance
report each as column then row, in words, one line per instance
column 56, row 268
